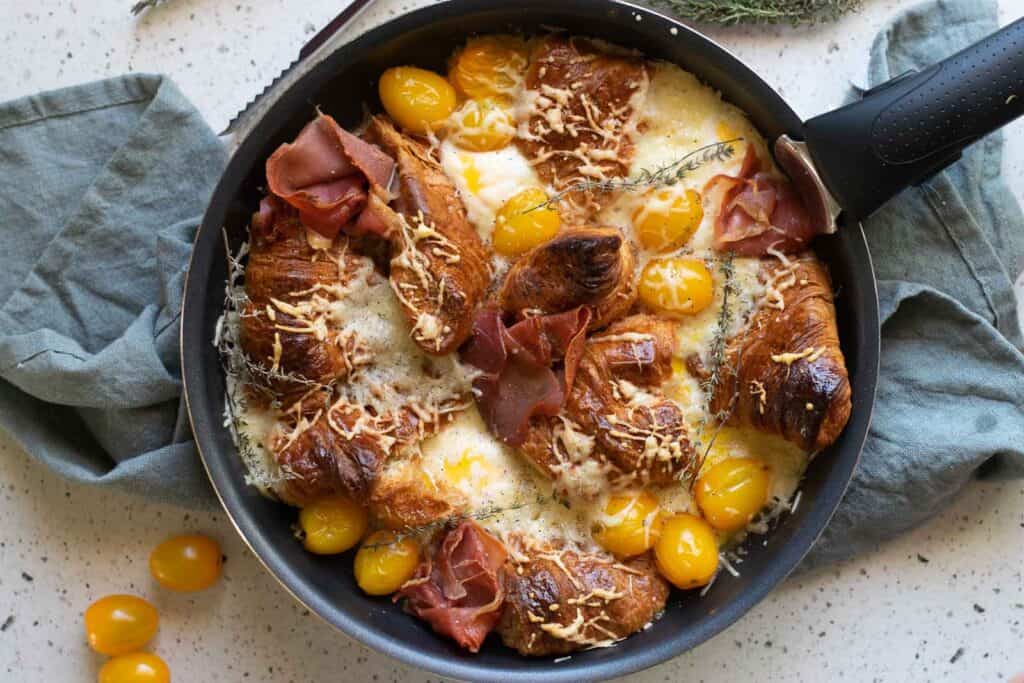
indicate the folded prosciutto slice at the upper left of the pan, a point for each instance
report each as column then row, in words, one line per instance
column 327, row 175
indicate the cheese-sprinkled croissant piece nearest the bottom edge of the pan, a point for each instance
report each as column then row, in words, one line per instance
column 559, row 603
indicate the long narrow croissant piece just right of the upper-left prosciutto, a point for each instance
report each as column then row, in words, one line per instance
column 440, row 267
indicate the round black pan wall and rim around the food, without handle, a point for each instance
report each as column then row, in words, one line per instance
column 340, row 87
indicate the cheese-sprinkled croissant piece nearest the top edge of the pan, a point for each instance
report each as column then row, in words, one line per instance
column 582, row 112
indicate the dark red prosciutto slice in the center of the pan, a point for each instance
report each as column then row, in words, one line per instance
column 519, row 380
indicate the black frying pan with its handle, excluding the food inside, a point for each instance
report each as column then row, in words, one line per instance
column 852, row 160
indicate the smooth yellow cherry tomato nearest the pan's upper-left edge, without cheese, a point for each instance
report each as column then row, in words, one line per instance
column 418, row 100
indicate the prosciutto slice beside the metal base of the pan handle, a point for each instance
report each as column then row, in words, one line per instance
column 758, row 211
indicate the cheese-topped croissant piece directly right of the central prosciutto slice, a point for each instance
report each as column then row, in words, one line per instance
column 638, row 436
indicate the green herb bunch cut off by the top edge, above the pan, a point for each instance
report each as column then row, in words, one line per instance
column 759, row 12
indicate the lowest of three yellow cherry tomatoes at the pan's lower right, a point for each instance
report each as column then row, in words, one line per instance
column 687, row 552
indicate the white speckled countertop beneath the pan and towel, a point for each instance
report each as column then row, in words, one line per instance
column 945, row 603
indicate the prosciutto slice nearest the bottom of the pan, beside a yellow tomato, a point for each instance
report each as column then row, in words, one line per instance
column 459, row 590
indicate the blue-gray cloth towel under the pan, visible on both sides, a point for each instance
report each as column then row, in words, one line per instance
column 104, row 186
